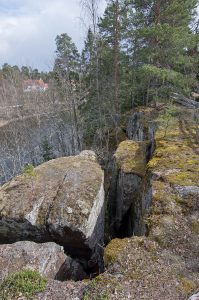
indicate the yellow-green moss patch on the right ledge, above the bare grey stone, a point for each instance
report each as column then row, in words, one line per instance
column 175, row 158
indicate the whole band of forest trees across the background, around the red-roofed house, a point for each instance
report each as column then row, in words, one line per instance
column 138, row 53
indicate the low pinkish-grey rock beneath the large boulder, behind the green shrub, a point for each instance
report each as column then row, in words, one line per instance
column 48, row 259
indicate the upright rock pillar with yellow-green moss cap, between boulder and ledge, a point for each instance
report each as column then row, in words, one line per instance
column 130, row 191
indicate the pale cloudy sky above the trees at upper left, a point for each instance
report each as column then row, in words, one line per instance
column 28, row 29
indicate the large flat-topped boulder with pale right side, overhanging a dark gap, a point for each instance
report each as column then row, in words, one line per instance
column 61, row 201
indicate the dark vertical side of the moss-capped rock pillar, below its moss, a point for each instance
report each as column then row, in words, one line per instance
column 130, row 205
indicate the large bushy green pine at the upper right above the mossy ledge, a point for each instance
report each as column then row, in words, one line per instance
column 161, row 39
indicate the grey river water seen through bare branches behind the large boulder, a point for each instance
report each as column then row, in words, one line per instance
column 24, row 141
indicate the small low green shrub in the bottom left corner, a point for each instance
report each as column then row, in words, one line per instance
column 24, row 283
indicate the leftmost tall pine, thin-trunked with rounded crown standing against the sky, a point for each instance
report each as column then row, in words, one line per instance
column 67, row 76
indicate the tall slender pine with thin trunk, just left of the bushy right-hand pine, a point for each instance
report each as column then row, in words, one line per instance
column 112, row 29
